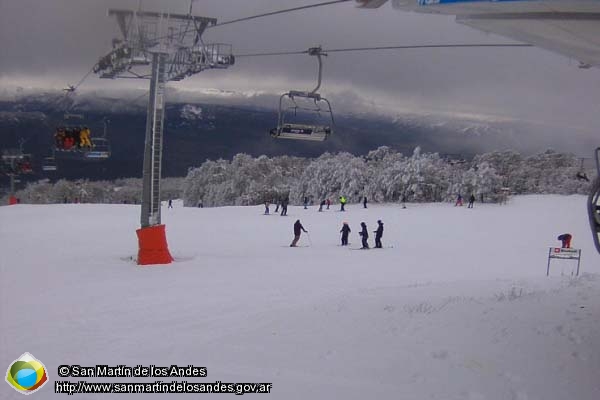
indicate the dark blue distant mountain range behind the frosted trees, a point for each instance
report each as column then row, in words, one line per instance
column 219, row 125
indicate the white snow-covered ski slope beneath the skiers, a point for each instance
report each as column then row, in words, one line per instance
column 459, row 308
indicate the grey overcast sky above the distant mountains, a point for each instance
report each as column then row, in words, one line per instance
column 51, row 43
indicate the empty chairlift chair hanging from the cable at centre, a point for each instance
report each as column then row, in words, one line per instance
column 317, row 105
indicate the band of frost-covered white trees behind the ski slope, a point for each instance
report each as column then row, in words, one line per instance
column 383, row 175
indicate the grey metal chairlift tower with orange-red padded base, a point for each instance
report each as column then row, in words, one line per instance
column 160, row 47
